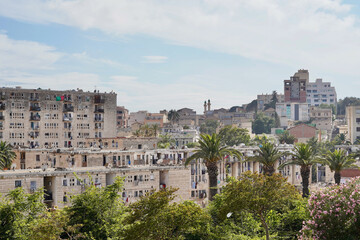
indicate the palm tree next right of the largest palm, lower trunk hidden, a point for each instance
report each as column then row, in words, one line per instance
column 268, row 155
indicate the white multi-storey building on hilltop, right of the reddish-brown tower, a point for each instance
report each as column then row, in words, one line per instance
column 320, row 92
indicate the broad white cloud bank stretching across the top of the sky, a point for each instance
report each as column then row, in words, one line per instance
column 321, row 34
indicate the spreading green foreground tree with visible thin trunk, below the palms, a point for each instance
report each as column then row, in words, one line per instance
column 257, row 194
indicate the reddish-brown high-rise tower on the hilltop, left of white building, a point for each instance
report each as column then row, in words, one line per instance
column 295, row 88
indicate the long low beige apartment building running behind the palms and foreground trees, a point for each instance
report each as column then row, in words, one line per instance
column 143, row 170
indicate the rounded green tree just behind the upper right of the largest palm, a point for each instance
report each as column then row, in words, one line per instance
column 233, row 136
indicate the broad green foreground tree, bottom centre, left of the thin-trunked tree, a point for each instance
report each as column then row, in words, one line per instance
column 154, row 217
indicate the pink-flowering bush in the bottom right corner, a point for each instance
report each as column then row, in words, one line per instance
column 334, row 213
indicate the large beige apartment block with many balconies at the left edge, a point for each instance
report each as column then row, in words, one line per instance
column 48, row 118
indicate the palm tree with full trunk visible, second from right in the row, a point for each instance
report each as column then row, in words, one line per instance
column 304, row 155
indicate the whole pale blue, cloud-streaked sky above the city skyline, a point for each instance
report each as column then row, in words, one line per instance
column 172, row 54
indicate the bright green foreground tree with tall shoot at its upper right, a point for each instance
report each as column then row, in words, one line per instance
column 99, row 211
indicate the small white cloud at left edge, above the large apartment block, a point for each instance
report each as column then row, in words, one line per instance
column 18, row 55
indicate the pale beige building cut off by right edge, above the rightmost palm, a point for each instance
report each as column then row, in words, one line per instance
column 353, row 123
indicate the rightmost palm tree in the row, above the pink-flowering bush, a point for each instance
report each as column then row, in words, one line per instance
column 337, row 161
